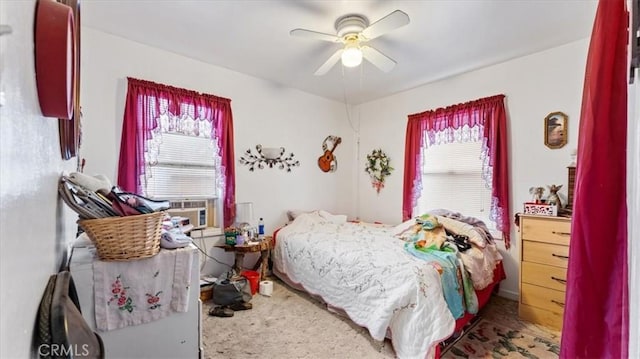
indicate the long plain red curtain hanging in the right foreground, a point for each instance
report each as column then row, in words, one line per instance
column 596, row 306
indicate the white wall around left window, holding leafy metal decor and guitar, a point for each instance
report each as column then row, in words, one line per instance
column 263, row 113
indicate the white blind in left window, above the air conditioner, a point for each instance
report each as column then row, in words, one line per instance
column 185, row 168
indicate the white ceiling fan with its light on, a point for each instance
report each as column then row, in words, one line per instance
column 353, row 31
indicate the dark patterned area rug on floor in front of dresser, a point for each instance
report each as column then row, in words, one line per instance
column 491, row 340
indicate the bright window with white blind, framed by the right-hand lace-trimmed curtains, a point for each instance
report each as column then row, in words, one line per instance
column 452, row 179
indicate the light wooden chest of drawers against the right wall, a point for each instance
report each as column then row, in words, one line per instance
column 543, row 268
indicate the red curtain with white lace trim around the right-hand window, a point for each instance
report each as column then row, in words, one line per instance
column 487, row 113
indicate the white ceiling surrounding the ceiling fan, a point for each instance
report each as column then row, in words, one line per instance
column 444, row 37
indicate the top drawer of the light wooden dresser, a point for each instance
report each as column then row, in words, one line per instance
column 549, row 230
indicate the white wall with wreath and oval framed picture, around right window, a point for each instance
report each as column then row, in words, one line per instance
column 534, row 86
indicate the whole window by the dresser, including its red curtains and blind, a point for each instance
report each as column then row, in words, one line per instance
column 481, row 123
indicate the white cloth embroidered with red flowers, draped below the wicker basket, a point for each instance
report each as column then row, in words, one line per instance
column 140, row 291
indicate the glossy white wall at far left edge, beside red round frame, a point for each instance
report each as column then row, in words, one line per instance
column 35, row 225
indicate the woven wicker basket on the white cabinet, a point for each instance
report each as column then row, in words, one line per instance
column 125, row 238
